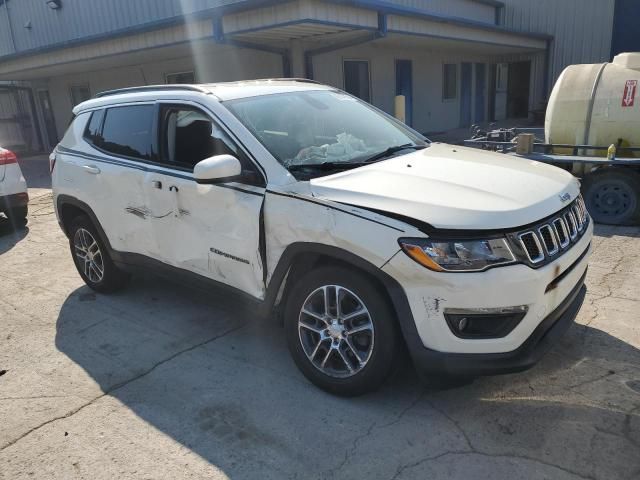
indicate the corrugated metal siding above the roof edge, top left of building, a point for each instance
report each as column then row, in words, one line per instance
column 78, row 19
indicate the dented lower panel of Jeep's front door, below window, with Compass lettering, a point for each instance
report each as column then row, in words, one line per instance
column 211, row 230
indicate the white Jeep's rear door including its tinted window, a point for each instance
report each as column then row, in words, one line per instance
column 111, row 173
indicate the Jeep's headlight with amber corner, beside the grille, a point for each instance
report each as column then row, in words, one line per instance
column 458, row 255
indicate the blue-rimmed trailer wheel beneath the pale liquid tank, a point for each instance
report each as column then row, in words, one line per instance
column 612, row 195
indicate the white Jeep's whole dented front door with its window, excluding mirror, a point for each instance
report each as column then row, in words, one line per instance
column 212, row 230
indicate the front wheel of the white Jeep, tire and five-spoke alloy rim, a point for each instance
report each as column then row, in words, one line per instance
column 350, row 356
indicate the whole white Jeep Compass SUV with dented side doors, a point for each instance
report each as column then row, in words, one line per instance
column 300, row 196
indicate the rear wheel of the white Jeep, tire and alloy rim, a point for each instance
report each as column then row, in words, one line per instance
column 92, row 259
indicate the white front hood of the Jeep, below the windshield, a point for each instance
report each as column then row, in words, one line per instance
column 453, row 187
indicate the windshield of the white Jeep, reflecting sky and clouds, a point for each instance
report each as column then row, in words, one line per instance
column 321, row 128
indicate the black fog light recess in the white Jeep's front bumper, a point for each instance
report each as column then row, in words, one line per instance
column 484, row 322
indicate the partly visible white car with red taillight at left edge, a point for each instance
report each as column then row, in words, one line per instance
column 14, row 198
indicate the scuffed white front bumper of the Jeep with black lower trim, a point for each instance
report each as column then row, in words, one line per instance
column 547, row 300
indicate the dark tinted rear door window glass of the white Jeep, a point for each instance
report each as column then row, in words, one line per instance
column 127, row 131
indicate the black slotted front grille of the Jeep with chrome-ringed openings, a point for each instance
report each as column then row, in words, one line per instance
column 549, row 239
